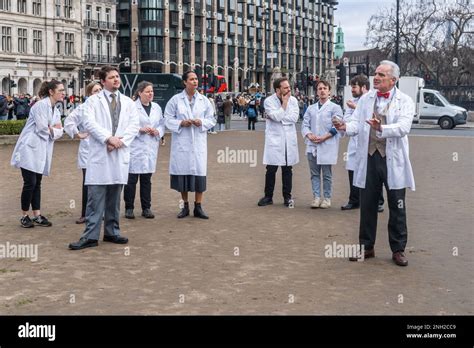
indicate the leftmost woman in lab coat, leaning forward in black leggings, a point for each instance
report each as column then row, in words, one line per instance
column 34, row 150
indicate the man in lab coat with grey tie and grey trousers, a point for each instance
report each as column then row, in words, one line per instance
column 112, row 121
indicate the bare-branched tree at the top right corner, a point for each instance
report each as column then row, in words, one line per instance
column 432, row 34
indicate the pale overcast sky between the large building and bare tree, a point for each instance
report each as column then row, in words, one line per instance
column 353, row 15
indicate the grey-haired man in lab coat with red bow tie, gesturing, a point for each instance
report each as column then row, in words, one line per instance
column 382, row 120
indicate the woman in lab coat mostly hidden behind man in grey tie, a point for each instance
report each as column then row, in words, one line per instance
column 74, row 127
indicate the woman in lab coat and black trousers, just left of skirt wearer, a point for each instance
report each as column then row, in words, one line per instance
column 144, row 151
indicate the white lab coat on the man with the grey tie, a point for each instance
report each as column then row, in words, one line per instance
column 103, row 167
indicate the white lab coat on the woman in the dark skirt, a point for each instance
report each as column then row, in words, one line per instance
column 188, row 154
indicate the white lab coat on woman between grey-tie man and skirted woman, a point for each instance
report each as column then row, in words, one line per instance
column 144, row 149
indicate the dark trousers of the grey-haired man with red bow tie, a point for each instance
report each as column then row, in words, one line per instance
column 369, row 201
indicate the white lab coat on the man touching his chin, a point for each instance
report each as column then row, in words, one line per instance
column 280, row 132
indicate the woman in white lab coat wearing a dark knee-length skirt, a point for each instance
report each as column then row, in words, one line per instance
column 189, row 115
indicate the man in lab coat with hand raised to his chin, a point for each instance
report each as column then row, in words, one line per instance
column 281, row 144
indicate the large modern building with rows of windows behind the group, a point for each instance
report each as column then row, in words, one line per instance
column 243, row 41
